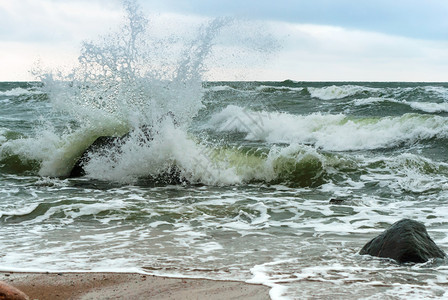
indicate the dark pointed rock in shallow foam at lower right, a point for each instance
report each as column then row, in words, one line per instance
column 405, row 241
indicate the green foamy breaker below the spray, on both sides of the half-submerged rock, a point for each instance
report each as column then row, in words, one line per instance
column 47, row 155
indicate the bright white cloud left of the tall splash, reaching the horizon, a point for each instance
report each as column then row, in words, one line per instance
column 50, row 31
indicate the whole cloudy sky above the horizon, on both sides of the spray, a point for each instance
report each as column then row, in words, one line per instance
column 318, row 40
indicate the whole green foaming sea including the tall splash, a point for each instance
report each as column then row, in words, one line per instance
column 257, row 163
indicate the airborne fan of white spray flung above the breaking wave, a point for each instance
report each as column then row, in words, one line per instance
column 121, row 79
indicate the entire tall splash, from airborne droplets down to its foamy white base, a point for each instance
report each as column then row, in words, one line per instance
column 140, row 86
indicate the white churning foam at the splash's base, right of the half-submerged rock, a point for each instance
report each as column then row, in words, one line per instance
column 172, row 147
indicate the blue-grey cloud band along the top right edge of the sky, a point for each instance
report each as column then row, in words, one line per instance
column 409, row 18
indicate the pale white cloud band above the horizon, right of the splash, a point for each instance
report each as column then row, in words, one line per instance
column 315, row 52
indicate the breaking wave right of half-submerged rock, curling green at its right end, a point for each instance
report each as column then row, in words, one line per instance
column 197, row 163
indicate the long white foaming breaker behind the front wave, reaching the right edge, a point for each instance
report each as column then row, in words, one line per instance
column 327, row 131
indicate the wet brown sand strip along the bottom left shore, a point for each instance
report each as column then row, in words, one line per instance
column 108, row 285
